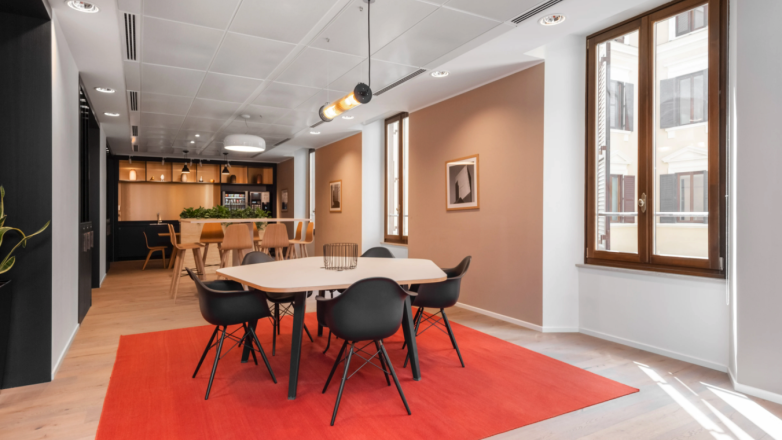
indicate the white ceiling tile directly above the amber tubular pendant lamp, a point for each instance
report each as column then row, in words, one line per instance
column 318, row 68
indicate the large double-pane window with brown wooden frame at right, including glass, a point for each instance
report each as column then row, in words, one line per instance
column 656, row 141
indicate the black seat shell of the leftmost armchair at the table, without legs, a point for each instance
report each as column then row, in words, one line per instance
column 229, row 308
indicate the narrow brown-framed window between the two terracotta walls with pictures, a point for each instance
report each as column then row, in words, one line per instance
column 396, row 212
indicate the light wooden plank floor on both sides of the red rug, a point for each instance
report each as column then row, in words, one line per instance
column 674, row 402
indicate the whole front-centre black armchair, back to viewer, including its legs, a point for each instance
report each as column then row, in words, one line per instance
column 369, row 310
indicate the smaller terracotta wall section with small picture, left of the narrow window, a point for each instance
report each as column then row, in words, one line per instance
column 338, row 161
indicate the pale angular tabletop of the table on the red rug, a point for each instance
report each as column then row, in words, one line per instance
column 305, row 274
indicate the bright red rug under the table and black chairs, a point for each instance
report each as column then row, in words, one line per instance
column 151, row 394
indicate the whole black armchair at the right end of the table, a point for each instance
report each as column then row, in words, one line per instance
column 439, row 296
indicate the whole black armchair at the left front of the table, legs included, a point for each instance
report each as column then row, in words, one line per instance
column 223, row 308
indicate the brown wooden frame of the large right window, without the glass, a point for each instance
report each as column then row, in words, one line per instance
column 645, row 259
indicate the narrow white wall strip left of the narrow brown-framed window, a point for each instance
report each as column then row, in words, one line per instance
column 373, row 189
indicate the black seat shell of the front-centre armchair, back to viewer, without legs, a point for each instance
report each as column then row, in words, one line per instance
column 370, row 309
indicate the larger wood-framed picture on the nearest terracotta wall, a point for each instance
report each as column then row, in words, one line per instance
column 462, row 179
